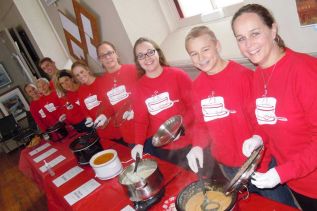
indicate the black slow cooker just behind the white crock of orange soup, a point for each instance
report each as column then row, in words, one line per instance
column 85, row 146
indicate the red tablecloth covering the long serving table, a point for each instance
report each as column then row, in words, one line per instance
column 110, row 195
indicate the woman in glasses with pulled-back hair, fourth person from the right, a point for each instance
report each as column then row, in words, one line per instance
column 119, row 80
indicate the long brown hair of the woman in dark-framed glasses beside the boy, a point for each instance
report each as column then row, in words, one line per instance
column 162, row 59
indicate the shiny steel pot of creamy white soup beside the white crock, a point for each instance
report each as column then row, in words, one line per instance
column 143, row 184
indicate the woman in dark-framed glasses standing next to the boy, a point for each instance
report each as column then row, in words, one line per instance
column 161, row 93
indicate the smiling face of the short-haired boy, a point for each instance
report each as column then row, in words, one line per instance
column 204, row 53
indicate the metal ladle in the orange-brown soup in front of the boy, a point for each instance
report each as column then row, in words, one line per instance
column 207, row 205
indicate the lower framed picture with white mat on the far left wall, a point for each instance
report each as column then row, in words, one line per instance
column 13, row 102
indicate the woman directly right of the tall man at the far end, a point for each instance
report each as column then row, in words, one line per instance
column 67, row 88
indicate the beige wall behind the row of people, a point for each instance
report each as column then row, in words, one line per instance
column 122, row 22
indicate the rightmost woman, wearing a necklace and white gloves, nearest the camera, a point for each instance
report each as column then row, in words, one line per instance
column 285, row 91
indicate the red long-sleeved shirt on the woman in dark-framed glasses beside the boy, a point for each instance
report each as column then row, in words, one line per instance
column 157, row 99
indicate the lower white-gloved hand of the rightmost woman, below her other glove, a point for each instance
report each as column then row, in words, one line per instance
column 270, row 179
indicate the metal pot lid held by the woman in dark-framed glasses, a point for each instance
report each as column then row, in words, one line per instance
column 168, row 131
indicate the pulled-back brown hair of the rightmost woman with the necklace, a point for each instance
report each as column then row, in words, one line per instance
column 264, row 14
